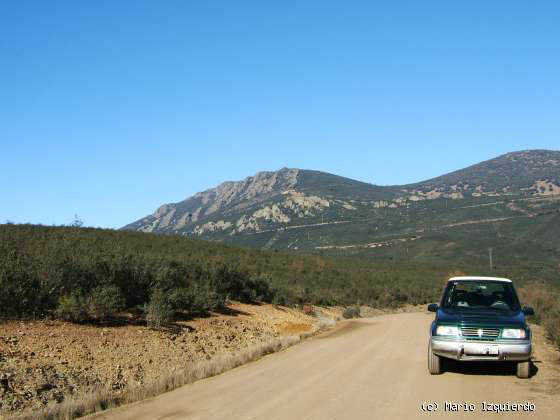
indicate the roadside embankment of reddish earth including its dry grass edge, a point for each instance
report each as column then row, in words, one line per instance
column 50, row 365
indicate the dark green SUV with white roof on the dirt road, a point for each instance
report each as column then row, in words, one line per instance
column 480, row 319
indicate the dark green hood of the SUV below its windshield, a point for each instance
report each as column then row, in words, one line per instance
column 480, row 317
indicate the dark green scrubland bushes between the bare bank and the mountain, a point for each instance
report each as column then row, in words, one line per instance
column 88, row 275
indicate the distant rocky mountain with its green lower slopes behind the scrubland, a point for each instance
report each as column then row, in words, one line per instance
column 503, row 203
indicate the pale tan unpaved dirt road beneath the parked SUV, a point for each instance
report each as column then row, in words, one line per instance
column 371, row 368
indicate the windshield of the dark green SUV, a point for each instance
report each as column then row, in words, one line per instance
column 480, row 295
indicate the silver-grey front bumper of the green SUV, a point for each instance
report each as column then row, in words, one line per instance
column 464, row 350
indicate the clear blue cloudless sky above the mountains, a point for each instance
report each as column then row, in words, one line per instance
column 109, row 109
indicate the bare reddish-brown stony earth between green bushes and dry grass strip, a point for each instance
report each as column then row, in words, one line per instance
column 45, row 362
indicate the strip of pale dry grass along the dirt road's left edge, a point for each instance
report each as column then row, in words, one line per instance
column 103, row 399
